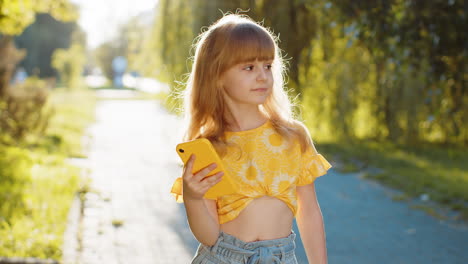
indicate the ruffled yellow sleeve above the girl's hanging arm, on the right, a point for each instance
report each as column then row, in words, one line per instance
column 313, row 165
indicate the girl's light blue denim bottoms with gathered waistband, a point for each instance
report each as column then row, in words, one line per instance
column 231, row 250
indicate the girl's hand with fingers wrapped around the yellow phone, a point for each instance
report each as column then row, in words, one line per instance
column 196, row 185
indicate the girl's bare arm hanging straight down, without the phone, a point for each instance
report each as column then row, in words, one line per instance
column 310, row 222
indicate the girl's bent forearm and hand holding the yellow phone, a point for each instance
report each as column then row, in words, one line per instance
column 201, row 213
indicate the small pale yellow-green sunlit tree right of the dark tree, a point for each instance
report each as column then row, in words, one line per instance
column 70, row 63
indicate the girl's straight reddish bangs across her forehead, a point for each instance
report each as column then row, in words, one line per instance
column 248, row 42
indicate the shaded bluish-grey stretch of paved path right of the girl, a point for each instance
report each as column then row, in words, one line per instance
column 364, row 225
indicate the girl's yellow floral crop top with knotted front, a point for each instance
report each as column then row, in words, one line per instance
column 267, row 165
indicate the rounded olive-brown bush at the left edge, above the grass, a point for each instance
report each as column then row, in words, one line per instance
column 23, row 113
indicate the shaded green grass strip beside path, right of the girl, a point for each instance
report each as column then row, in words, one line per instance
column 439, row 171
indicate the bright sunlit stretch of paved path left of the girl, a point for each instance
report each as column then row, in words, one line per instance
column 132, row 218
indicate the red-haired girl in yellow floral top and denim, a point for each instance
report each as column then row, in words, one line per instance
column 236, row 99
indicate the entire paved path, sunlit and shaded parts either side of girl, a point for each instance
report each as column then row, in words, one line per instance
column 131, row 218
